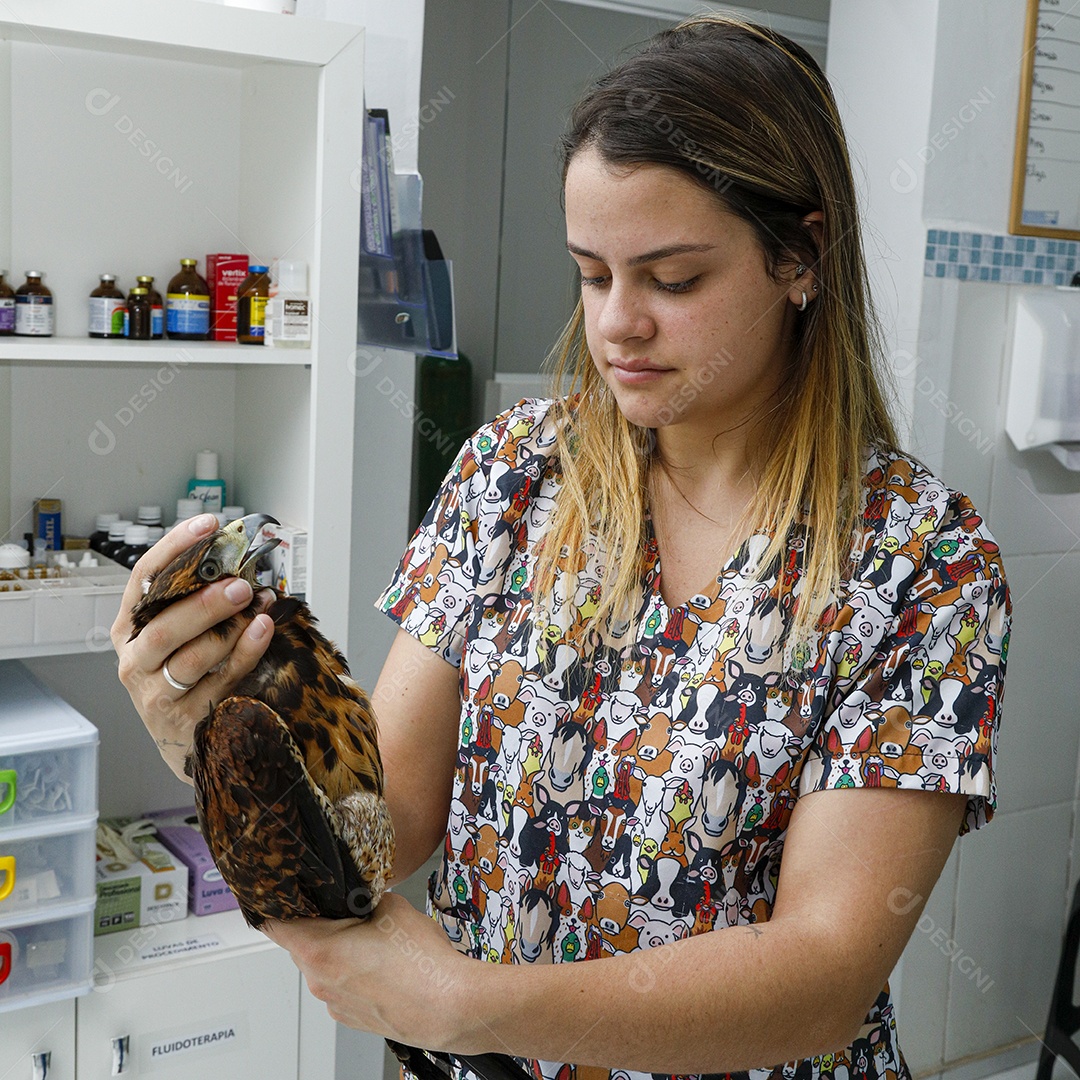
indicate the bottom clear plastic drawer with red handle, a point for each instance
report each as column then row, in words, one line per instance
column 46, row 961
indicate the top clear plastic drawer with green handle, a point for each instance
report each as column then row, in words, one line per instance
column 48, row 757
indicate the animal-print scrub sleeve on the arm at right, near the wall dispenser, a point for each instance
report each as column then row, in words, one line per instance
column 924, row 711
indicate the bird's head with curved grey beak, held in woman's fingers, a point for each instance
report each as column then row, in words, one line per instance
column 231, row 552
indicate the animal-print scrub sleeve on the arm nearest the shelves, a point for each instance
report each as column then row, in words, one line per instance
column 433, row 593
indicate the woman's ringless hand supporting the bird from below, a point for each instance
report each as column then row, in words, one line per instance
column 396, row 976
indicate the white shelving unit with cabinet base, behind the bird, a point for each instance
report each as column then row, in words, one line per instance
column 132, row 136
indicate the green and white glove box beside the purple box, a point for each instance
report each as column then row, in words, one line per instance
column 153, row 889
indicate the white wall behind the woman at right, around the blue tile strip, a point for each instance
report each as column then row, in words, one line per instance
column 934, row 116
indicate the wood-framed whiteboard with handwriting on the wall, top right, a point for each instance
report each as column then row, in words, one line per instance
column 1046, row 194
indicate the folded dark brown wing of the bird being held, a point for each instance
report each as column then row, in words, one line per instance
column 274, row 834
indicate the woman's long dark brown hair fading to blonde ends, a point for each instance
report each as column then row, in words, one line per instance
column 750, row 116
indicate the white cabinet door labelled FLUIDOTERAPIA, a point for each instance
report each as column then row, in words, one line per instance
column 237, row 1018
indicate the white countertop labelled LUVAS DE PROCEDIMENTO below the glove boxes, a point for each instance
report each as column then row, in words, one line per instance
column 130, row 954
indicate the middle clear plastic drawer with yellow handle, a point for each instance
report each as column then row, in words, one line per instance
column 47, row 868
